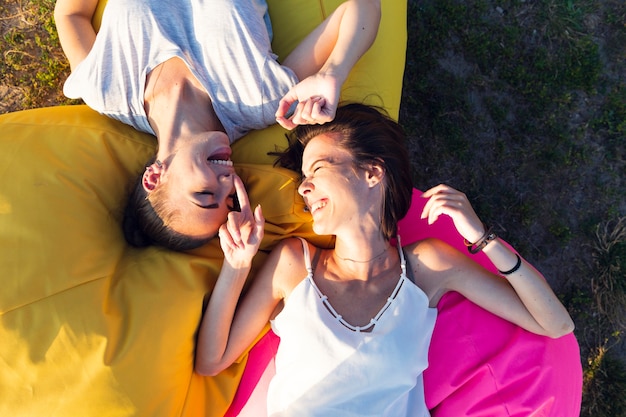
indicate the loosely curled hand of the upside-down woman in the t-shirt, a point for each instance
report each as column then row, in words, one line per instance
column 317, row 97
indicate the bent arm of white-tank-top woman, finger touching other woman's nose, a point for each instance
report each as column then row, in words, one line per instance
column 229, row 328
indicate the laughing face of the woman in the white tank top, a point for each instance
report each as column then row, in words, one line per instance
column 333, row 189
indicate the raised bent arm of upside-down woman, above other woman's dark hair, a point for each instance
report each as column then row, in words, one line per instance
column 323, row 60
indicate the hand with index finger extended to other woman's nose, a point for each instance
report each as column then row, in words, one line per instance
column 242, row 233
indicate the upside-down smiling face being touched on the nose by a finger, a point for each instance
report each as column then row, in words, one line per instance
column 199, row 181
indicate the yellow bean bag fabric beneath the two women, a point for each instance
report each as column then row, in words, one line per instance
column 92, row 327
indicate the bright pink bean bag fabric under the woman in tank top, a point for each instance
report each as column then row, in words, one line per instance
column 479, row 364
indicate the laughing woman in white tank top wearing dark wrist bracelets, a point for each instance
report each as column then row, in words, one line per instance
column 355, row 321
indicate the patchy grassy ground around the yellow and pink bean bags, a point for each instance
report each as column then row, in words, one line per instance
column 519, row 103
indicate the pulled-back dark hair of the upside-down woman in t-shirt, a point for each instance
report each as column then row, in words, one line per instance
column 145, row 224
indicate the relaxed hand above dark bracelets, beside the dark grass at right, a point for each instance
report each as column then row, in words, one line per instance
column 446, row 200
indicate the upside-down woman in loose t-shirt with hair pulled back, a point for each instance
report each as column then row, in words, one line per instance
column 198, row 75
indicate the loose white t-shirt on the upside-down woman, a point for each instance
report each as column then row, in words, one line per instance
column 225, row 44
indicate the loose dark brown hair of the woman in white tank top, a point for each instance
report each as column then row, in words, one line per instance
column 371, row 137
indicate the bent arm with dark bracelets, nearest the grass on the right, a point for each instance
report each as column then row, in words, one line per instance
column 524, row 297
